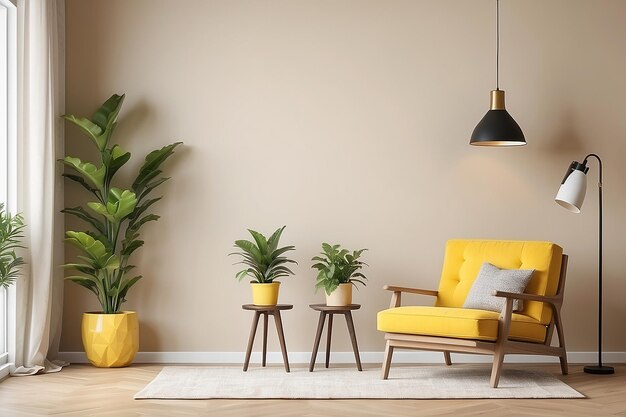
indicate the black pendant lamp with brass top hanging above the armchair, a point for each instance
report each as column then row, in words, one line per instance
column 497, row 128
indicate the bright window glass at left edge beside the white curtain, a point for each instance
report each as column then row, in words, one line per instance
column 8, row 155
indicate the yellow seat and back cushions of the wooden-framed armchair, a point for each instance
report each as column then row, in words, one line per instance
column 462, row 262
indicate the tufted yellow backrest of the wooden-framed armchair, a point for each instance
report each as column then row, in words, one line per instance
column 463, row 259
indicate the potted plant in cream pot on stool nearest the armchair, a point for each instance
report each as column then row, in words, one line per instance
column 338, row 272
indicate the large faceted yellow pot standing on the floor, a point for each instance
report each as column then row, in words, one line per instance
column 110, row 340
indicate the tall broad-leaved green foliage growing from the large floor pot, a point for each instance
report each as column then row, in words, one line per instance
column 115, row 215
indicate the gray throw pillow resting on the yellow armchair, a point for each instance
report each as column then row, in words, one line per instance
column 491, row 278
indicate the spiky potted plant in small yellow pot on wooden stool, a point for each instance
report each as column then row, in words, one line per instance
column 264, row 264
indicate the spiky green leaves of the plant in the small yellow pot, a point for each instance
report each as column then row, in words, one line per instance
column 263, row 260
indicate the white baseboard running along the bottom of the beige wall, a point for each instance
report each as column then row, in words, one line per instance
column 347, row 357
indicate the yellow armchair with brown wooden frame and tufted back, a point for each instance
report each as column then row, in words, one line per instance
column 448, row 327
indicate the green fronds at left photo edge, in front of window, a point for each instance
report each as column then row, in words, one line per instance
column 11, row 234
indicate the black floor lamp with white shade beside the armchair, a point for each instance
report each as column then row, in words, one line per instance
column 571, row 196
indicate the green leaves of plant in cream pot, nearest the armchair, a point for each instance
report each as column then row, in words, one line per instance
column 338, row 266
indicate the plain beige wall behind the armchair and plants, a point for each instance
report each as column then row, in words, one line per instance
column 349, row 122
